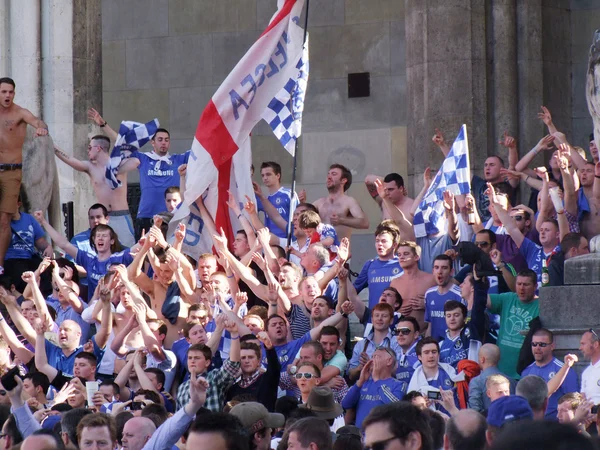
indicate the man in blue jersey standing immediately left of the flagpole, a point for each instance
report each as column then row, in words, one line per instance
column 279, row 199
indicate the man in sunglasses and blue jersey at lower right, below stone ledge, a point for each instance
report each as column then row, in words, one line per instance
column 547, row 367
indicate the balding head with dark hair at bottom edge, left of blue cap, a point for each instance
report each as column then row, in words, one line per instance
column 465, row 429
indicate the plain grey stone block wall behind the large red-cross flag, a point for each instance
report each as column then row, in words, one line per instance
column 169, row 61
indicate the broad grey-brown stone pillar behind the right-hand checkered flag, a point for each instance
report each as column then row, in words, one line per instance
column 446, row 79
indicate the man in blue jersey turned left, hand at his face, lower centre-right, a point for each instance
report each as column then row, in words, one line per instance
column 376, row 385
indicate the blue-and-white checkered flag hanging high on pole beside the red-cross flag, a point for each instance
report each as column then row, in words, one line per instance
column 286, row 124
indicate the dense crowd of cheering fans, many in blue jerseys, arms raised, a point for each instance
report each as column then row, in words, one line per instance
column 125, row 341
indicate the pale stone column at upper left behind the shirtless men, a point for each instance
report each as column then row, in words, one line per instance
column 55, row 56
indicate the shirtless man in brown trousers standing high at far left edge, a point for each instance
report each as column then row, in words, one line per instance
column 13, row 125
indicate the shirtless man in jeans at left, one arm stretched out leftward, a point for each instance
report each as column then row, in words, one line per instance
column 115, row 200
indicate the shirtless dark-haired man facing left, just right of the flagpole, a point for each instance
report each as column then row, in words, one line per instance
column 339, row 209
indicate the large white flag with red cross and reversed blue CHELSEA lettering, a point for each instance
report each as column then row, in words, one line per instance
column 220, row 157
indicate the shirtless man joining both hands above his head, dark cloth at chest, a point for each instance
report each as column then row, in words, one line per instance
column 172, row 287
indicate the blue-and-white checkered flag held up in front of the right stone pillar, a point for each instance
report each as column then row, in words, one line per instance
column 453, row 176
